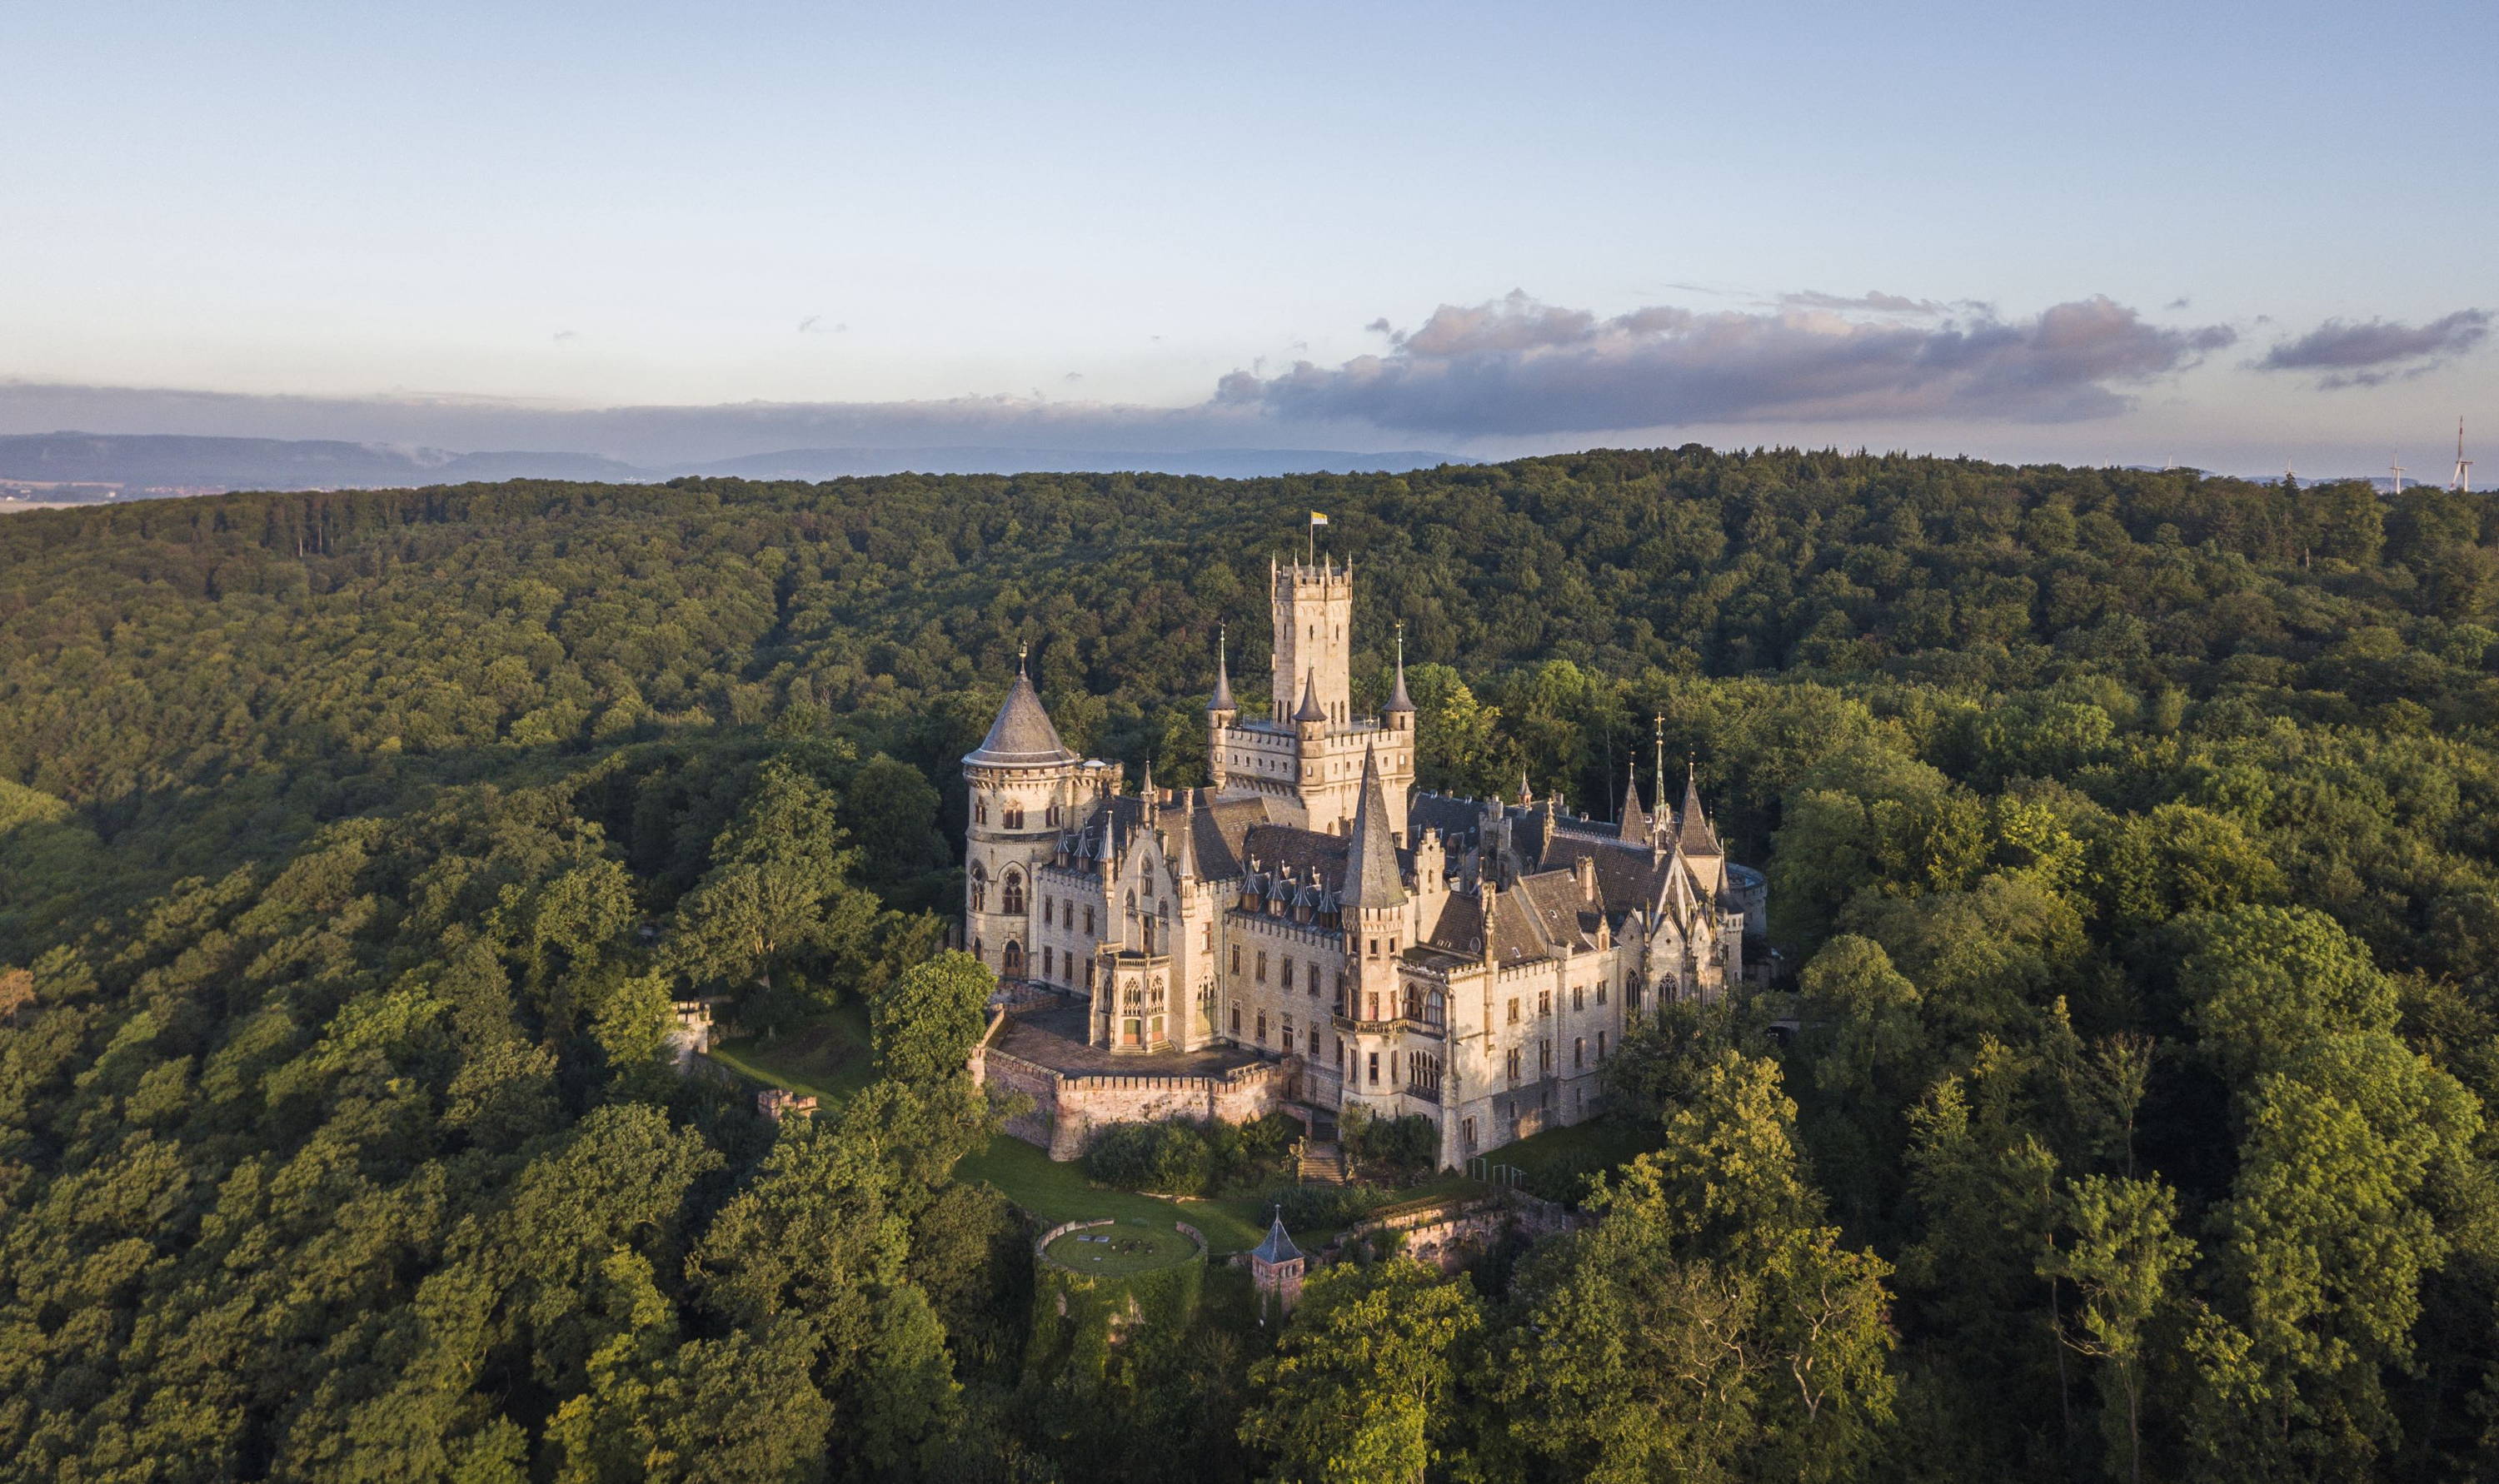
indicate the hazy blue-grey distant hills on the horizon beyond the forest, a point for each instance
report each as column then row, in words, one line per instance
column 99, row 466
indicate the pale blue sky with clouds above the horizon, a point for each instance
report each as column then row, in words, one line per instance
column 1126, row 226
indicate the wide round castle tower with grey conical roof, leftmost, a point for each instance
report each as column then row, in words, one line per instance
column 1023, row 786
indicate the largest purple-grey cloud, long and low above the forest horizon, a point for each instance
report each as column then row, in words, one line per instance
column 1518, row 366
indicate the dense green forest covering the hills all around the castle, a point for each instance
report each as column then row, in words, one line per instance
column 2135, row 871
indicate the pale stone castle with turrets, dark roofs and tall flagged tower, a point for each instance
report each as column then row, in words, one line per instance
column 1376, row 948
